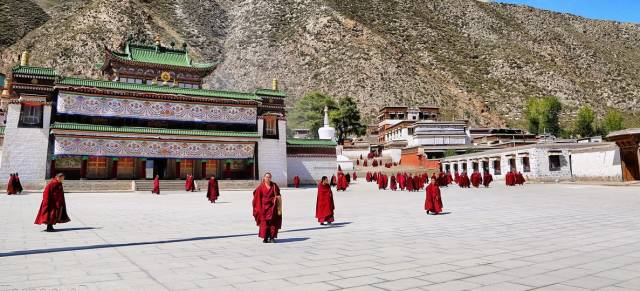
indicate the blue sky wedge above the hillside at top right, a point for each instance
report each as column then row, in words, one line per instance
column 619, row 10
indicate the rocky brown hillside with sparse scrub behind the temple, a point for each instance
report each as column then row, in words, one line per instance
column 474, row 59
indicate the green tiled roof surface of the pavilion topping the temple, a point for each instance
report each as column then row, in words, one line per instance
column 159, row 55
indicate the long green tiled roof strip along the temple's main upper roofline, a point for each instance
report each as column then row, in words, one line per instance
column 157, row 89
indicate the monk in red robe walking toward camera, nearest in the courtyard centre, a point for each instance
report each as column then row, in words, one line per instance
column 267, row 209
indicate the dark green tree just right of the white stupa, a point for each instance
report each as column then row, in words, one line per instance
column 346, row 119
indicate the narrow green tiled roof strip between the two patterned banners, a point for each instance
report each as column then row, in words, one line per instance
column 151, row 130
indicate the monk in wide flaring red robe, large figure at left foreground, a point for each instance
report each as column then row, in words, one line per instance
column 53, row 208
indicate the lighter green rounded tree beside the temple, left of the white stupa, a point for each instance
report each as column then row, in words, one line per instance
column 308, row 112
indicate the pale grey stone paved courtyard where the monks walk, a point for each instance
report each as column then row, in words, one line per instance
column 551, row 237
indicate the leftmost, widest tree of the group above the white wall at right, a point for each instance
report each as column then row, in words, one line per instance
column 542, row 115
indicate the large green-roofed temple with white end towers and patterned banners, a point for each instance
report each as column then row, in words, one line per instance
column 148, row 116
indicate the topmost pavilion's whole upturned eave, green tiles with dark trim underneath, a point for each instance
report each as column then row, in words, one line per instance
column 154, row 59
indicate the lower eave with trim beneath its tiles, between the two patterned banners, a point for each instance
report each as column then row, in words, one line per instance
column 79, row 129
